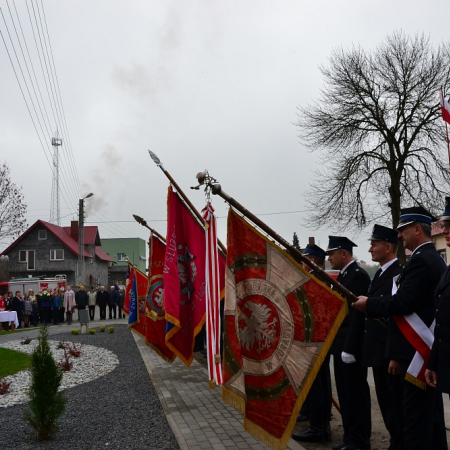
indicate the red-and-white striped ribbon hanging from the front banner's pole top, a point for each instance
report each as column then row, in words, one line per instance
column 215, row 273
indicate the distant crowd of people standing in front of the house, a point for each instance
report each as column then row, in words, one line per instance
column 54, row 307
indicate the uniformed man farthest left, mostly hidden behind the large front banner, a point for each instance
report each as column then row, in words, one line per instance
column 318, row 401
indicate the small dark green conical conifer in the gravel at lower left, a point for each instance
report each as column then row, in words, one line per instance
column 46, row 403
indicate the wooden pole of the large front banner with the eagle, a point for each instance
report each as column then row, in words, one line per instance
column 216, row 189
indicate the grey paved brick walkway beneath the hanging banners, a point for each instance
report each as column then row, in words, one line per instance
column 196, row 414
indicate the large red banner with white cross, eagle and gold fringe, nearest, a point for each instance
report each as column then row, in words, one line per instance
column 279, row 324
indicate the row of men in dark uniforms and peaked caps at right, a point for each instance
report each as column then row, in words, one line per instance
column 390, row 328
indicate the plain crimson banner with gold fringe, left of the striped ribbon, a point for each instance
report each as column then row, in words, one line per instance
column 184, row 278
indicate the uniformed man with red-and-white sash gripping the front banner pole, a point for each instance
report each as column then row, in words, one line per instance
column 423, row 420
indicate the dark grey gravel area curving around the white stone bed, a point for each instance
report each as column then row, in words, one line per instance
column 119, row 410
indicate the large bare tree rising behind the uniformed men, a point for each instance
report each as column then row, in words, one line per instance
column 379, row 129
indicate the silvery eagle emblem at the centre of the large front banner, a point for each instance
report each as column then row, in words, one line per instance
column 257, row 327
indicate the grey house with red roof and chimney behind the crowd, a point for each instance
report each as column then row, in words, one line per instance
column 48, row 250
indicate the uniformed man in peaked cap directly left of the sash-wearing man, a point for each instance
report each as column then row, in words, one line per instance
column 383, row 248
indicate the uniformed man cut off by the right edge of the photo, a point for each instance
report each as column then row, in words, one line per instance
column 438, row 372
